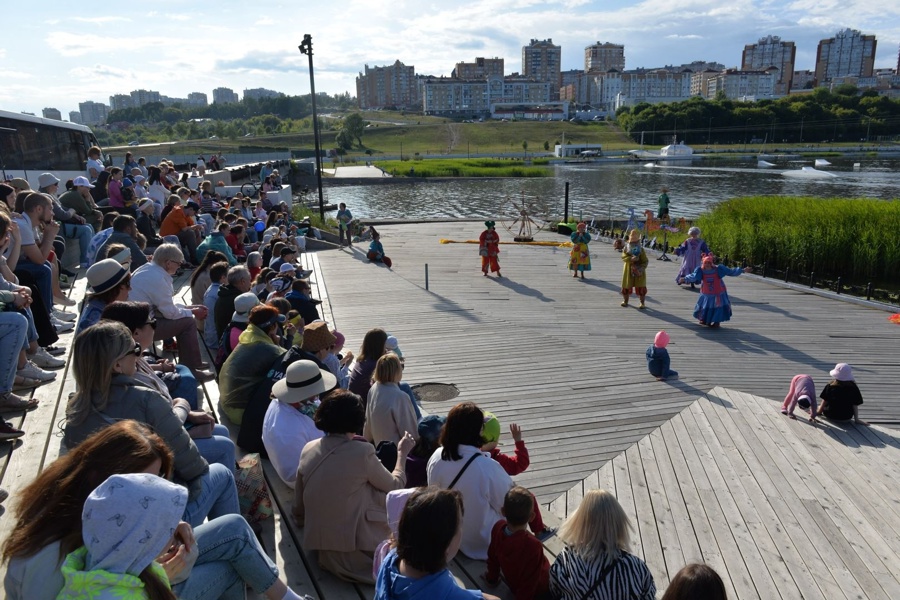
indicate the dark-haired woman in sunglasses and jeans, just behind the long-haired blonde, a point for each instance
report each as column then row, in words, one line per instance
column 211, row 438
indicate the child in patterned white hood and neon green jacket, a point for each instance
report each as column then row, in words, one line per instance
column 126, row 523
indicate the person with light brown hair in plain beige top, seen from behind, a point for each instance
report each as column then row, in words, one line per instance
column 389, row 410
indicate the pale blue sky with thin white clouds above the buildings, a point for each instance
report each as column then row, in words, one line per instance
column 56, row 53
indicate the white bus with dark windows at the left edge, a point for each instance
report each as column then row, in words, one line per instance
column 32, row 145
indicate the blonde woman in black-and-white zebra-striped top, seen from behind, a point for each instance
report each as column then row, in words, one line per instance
column 595, row 563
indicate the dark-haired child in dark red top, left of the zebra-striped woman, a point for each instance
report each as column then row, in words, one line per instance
column 515, row 553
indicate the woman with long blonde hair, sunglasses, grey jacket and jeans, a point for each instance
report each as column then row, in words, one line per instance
column 104, row 361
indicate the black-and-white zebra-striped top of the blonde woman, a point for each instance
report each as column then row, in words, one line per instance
column 571, row 577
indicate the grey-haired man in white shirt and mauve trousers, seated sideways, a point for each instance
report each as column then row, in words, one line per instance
column 152, row 284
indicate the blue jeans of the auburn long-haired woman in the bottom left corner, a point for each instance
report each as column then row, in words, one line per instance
column 230, row 557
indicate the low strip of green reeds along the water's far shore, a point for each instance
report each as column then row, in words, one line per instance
column 480, row 167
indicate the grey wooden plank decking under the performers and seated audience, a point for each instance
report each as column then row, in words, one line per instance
column 706, row 466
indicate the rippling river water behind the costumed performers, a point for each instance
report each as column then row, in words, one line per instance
column 604, row 190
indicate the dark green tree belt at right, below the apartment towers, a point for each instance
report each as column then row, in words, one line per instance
column 842, row 115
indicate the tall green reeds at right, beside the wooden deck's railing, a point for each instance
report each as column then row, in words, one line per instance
column 855, row 239
